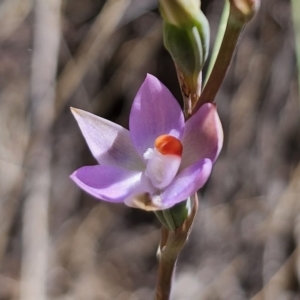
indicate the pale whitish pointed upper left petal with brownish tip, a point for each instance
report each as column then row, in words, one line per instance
column 109, row 143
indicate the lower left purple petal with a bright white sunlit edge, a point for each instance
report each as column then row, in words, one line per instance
column 107, row 183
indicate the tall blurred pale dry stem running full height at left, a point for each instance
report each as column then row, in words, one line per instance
column 38, row 160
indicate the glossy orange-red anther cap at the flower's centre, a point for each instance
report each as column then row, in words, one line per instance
column 167, row 144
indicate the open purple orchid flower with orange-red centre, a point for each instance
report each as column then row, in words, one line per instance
column 160, row 162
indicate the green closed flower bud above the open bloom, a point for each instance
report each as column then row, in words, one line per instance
column 186, row 37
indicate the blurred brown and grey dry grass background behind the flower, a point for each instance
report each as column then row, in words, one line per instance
column 59, row 243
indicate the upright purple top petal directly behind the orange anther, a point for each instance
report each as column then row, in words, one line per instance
column 154, row 112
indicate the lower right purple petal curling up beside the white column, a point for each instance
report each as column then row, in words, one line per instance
column 186, row 183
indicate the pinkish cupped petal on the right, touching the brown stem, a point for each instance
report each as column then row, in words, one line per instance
column 203, row 136
